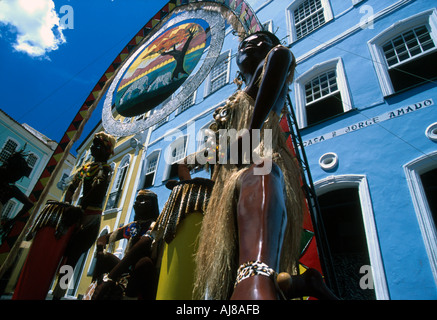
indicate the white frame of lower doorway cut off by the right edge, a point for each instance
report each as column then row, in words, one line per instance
column 413, row 170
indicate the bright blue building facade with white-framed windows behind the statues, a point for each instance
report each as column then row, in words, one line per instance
column 364, row 100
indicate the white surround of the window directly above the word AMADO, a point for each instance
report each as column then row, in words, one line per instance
column 428, row 17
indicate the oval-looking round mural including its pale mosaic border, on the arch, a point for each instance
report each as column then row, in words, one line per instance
column 174, row 60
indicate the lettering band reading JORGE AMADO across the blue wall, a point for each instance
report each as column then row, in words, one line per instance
column 370, row 121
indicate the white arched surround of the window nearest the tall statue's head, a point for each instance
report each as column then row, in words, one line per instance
column 299, row 87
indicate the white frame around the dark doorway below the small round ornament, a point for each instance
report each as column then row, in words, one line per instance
column 346, row 181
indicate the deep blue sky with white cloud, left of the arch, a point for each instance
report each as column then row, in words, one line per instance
column 53, row 52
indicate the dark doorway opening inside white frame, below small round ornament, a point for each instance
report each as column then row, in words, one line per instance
column 346, row 237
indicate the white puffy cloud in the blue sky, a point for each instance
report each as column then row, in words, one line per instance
column 36, row 23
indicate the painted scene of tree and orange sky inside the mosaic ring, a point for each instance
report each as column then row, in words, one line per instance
column 161, row 68
